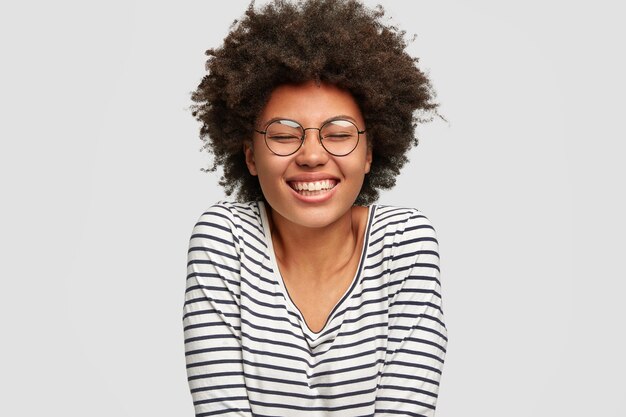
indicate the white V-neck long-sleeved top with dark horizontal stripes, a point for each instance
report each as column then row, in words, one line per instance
column 249, row 351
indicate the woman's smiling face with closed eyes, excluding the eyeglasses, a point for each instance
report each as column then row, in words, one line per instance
column 286, row 181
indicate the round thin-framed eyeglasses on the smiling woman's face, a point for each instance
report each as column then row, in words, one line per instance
column 284, row 137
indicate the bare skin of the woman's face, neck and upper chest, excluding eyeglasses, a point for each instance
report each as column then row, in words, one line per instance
column 317, row 235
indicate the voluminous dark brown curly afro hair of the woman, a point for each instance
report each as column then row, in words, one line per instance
column 341, row 42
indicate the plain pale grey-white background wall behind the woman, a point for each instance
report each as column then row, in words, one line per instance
column 101, row 185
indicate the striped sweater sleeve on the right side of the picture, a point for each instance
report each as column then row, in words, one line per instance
column 409, row 382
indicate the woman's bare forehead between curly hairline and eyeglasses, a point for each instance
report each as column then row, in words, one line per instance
column 310, row 103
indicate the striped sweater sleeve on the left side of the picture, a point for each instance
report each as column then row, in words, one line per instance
column 211, row 317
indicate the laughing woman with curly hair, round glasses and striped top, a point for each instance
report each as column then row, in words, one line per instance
column 303, row 297
